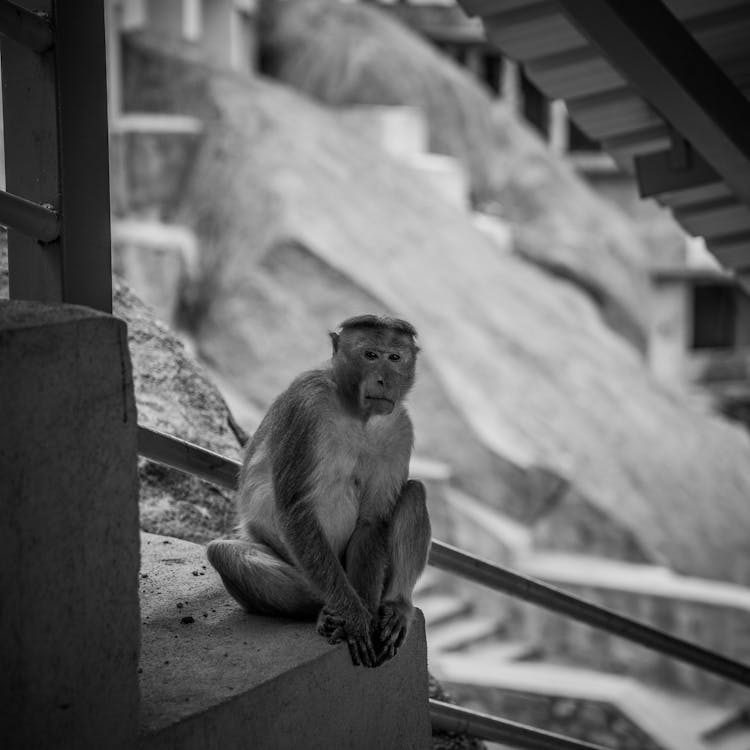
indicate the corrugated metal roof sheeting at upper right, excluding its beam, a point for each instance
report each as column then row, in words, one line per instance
column 564, row 64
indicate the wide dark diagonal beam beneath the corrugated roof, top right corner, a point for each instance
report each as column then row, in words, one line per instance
column 658, row 56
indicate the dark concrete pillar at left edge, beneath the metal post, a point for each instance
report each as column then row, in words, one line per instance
column 69, row 546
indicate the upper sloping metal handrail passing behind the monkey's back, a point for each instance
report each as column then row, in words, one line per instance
column 190, row 458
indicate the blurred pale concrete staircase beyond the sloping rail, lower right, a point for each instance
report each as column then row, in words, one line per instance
column 507, row 660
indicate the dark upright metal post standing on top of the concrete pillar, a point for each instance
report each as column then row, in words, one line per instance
column 56, row 153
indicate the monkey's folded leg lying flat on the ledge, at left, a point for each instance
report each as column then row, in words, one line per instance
column 261, row 581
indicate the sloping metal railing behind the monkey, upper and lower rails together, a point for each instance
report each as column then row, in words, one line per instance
column 187, row 457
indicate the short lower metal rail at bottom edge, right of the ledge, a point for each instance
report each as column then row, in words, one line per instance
column 460, row 720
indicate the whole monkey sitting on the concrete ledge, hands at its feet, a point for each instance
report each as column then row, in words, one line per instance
column 330, row 525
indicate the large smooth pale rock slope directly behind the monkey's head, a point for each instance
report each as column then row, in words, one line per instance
column 301, row 223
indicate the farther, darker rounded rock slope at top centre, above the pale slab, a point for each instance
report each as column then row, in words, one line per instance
column 355, row 54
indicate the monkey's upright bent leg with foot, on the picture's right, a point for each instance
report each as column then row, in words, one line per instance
column 409, row 545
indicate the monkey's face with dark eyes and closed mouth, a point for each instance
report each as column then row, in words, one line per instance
column 374, row 369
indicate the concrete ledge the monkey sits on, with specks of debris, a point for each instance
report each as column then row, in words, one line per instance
column 223, row 678
